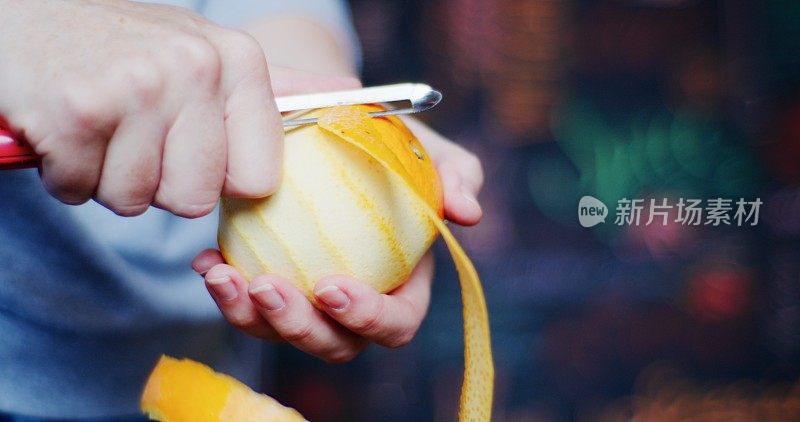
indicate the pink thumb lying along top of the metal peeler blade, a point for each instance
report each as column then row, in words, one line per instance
column 288, row 81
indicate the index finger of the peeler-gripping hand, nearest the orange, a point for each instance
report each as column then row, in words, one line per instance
column 252, row 122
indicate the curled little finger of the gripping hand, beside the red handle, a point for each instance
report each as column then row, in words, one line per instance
column 71, row 166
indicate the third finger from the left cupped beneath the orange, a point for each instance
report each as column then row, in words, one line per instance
column 298, row 322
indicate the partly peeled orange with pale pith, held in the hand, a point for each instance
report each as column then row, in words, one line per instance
column 338, row 211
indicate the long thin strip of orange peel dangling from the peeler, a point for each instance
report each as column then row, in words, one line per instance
column 355, row 127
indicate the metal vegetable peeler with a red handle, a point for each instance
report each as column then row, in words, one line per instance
column 15, row 153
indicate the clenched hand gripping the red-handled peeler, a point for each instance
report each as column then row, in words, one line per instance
column 138, row 105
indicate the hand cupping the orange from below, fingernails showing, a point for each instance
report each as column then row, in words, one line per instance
column 351, row 313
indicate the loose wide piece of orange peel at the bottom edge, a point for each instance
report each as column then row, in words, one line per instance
column 188, row 391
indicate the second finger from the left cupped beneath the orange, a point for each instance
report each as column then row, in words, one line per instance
column 229, row 291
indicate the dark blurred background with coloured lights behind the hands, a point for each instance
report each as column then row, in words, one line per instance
column 614, row 98
